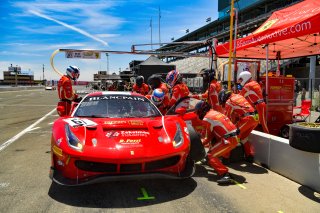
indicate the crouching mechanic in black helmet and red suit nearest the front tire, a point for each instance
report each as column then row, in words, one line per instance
column 220, row 127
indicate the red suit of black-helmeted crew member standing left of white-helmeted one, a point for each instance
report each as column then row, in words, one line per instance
column 212, row 95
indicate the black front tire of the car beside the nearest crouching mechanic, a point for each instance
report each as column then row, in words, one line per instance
column 197, row 151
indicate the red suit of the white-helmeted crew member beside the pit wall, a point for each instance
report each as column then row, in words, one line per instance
column 253, row 94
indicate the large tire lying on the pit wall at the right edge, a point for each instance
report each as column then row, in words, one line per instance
column 305, row 137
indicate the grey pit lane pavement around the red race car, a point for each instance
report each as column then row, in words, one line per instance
column 26, row 187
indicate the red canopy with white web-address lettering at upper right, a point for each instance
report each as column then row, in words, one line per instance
column 290, row 32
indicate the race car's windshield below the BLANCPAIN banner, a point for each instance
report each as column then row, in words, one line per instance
column 116, row 106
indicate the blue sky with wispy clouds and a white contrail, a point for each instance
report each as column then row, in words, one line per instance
column 32, row 29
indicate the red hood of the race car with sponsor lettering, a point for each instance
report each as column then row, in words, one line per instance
column 130, row 137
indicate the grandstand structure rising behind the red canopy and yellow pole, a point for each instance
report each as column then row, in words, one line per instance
column 251, row 14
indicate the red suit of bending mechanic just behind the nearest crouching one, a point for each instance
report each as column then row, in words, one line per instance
column 239, row 110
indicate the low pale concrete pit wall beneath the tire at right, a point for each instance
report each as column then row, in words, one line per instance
column 276, row 153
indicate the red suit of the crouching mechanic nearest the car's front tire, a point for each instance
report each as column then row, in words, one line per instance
column 220, row 127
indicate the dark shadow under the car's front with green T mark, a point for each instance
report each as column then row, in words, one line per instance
column 124, row 194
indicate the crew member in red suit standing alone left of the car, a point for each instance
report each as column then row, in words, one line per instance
column 65, row 92
